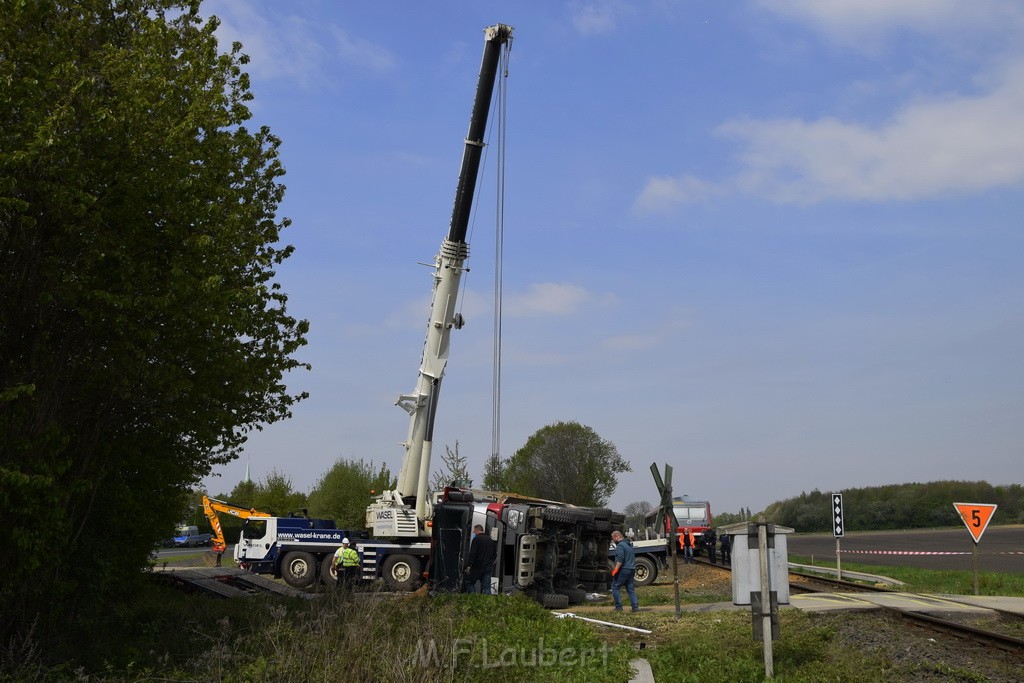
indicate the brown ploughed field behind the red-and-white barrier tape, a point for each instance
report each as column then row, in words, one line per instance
column 1002, row 548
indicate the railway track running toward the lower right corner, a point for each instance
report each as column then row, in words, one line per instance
column 806, row 583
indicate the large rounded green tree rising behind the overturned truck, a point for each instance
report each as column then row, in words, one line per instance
column 567, row 462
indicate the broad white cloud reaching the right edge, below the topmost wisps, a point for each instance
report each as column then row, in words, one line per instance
column 928, row 149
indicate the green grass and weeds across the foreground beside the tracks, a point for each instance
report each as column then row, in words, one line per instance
column 165, row 634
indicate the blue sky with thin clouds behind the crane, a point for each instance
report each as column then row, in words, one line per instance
column 777, row 245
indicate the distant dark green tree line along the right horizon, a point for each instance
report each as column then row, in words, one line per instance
column 899, row 506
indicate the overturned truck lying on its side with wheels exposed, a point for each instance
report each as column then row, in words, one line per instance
column 552, row 552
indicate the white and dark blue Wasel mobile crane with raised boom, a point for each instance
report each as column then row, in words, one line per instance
column 400, row 546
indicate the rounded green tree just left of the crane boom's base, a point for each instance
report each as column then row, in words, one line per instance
column 346, row 491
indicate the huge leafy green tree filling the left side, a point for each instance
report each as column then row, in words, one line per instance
column 142, row 332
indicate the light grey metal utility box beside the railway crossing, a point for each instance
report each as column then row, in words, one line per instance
column 747, row 562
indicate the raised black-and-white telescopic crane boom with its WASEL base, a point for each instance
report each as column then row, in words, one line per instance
column 403, row 511
